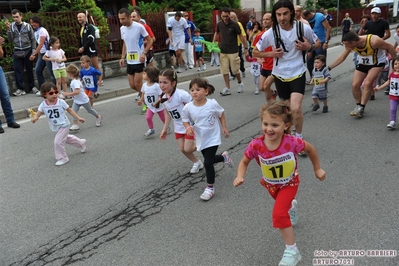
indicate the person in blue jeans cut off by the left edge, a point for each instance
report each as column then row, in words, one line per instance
column 5, row 97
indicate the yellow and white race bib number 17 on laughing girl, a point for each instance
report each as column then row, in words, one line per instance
column 278, row 170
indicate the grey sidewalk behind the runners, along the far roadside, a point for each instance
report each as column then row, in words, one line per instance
column 114, row 87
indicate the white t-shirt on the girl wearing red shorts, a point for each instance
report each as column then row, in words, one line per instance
column 174, row 105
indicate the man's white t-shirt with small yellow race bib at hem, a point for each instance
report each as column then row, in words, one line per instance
column 134, row 46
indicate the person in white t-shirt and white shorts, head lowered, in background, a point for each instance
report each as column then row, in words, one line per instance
column 176, row 26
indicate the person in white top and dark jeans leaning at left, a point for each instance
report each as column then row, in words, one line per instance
column 42, row 38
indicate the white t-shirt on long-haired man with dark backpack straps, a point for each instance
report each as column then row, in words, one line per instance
column 291, row 63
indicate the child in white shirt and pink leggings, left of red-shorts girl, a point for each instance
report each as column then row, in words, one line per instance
column 150, row 92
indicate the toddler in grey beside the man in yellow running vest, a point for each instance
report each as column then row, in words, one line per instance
column 320, row 78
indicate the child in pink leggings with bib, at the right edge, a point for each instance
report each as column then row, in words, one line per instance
column 393, row 82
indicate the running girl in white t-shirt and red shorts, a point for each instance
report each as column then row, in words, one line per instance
column 174, row 100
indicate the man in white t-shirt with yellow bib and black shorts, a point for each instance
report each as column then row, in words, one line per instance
column 133, row 51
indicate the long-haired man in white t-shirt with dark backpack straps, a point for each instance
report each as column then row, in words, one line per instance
column 289, row 67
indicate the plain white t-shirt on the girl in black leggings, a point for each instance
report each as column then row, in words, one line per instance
column 205, row 121
